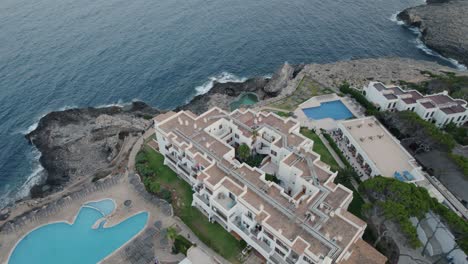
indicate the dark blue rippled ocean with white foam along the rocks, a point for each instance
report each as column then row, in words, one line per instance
column 56, row 54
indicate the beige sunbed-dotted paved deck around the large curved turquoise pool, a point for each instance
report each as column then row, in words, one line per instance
column 126, row 186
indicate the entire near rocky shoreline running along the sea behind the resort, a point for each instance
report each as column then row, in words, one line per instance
column 82, row 145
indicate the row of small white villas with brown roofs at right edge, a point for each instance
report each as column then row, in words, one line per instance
column 440, row 109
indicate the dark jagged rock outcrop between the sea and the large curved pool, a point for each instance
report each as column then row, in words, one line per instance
column 83, row 142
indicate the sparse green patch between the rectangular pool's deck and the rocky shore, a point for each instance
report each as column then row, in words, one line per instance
column 307, row 88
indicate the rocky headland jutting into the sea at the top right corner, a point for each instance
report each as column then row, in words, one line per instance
column 443, row 25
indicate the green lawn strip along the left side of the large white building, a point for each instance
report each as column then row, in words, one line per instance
column 212, row 234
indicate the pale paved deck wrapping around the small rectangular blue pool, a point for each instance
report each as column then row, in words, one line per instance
column 326, row 123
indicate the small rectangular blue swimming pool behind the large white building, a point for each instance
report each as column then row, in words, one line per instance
column 333, row 109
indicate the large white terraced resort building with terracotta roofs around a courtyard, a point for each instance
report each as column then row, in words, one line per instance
column 304, row 219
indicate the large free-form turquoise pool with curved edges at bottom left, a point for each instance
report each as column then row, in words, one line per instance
column 59, row 243
